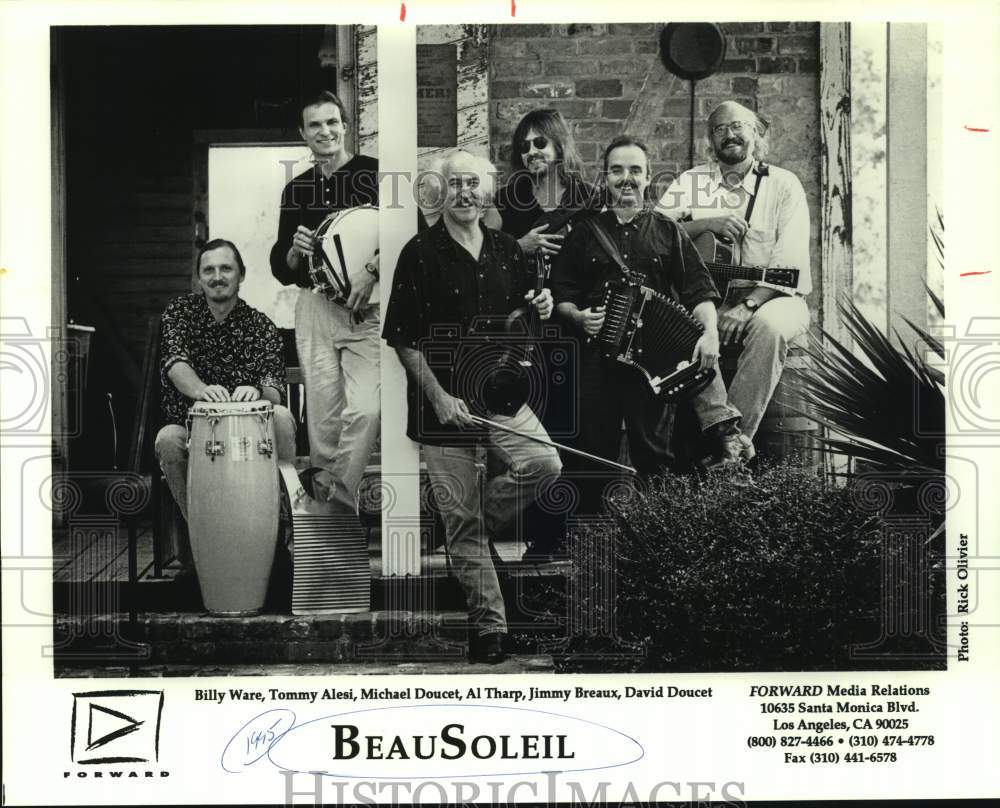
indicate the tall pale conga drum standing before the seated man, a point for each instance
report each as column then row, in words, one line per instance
column 232, row 502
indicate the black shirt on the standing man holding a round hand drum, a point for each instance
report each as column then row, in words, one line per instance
column 309, row 198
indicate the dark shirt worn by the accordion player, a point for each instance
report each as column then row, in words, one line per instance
column 650, row 243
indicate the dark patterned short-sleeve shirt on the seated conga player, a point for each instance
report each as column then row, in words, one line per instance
column 244, row 349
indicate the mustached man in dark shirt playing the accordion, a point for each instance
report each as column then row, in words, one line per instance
column 631, row 248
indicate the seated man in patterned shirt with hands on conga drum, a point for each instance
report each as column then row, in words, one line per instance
column 214, row 347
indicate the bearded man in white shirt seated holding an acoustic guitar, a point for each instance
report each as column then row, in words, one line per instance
column 761, row 211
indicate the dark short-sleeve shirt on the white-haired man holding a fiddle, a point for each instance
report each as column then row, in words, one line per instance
column 453, row 308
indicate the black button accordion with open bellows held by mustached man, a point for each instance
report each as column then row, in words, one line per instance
column 655, row 336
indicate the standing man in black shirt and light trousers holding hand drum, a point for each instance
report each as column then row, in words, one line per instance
column 327, row 243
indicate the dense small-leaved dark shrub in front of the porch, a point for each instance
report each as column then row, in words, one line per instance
column 781, row 572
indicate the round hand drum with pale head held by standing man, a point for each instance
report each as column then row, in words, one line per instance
column 344, row 242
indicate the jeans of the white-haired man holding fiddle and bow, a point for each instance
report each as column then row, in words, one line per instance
column 471, row 517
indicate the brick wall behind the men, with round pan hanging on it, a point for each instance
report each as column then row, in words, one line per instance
column 594, row 74
